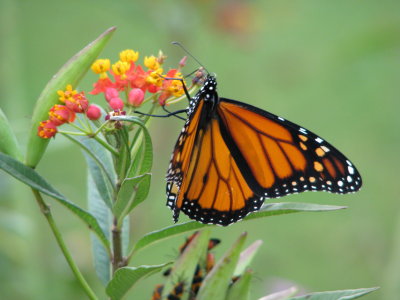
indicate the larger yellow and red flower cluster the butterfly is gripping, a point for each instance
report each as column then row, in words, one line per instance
column 133, row 80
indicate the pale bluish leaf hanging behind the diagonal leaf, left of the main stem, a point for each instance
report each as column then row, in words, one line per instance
column 101, row 212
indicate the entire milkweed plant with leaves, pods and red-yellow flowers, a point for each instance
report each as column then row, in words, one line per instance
column 116, row 143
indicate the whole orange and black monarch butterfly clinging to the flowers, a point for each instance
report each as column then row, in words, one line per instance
column 231, row 156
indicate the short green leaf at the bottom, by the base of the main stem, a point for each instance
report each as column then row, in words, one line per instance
column 124, row 278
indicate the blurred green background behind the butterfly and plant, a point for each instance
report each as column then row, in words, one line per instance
column 331, row 66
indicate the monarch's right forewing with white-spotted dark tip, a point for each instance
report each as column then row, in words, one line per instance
column 279, row 157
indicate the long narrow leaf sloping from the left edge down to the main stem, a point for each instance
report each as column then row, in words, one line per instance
column 30, row 177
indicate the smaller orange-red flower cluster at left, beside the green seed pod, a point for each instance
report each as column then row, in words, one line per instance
column 72, row 103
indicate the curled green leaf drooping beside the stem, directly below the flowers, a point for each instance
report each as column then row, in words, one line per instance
column 133, row 192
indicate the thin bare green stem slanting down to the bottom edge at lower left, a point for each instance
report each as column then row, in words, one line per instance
column 45, row 209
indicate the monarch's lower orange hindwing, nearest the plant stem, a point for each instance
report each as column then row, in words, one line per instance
column 210, row 187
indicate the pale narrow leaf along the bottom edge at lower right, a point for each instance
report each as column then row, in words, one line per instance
column 336, row 295
